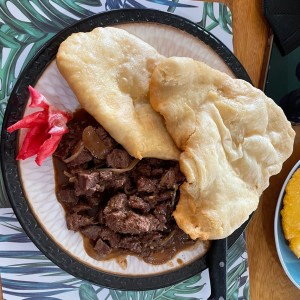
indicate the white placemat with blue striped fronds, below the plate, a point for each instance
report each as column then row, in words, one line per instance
column 27, row 274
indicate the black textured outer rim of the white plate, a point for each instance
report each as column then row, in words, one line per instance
column 9, row 166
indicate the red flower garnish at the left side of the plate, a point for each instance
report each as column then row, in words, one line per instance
column 45, row 128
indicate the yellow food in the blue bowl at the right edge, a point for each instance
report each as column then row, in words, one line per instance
column 291, row 213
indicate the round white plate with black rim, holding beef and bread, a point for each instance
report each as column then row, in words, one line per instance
column 30, row 189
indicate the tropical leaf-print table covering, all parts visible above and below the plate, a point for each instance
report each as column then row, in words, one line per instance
column 26, row 273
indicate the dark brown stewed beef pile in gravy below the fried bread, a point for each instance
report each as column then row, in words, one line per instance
column 116, row 202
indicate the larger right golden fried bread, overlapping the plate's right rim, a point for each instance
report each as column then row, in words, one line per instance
column 232, row 137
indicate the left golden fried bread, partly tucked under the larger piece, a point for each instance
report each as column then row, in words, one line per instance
column 109, row 70
